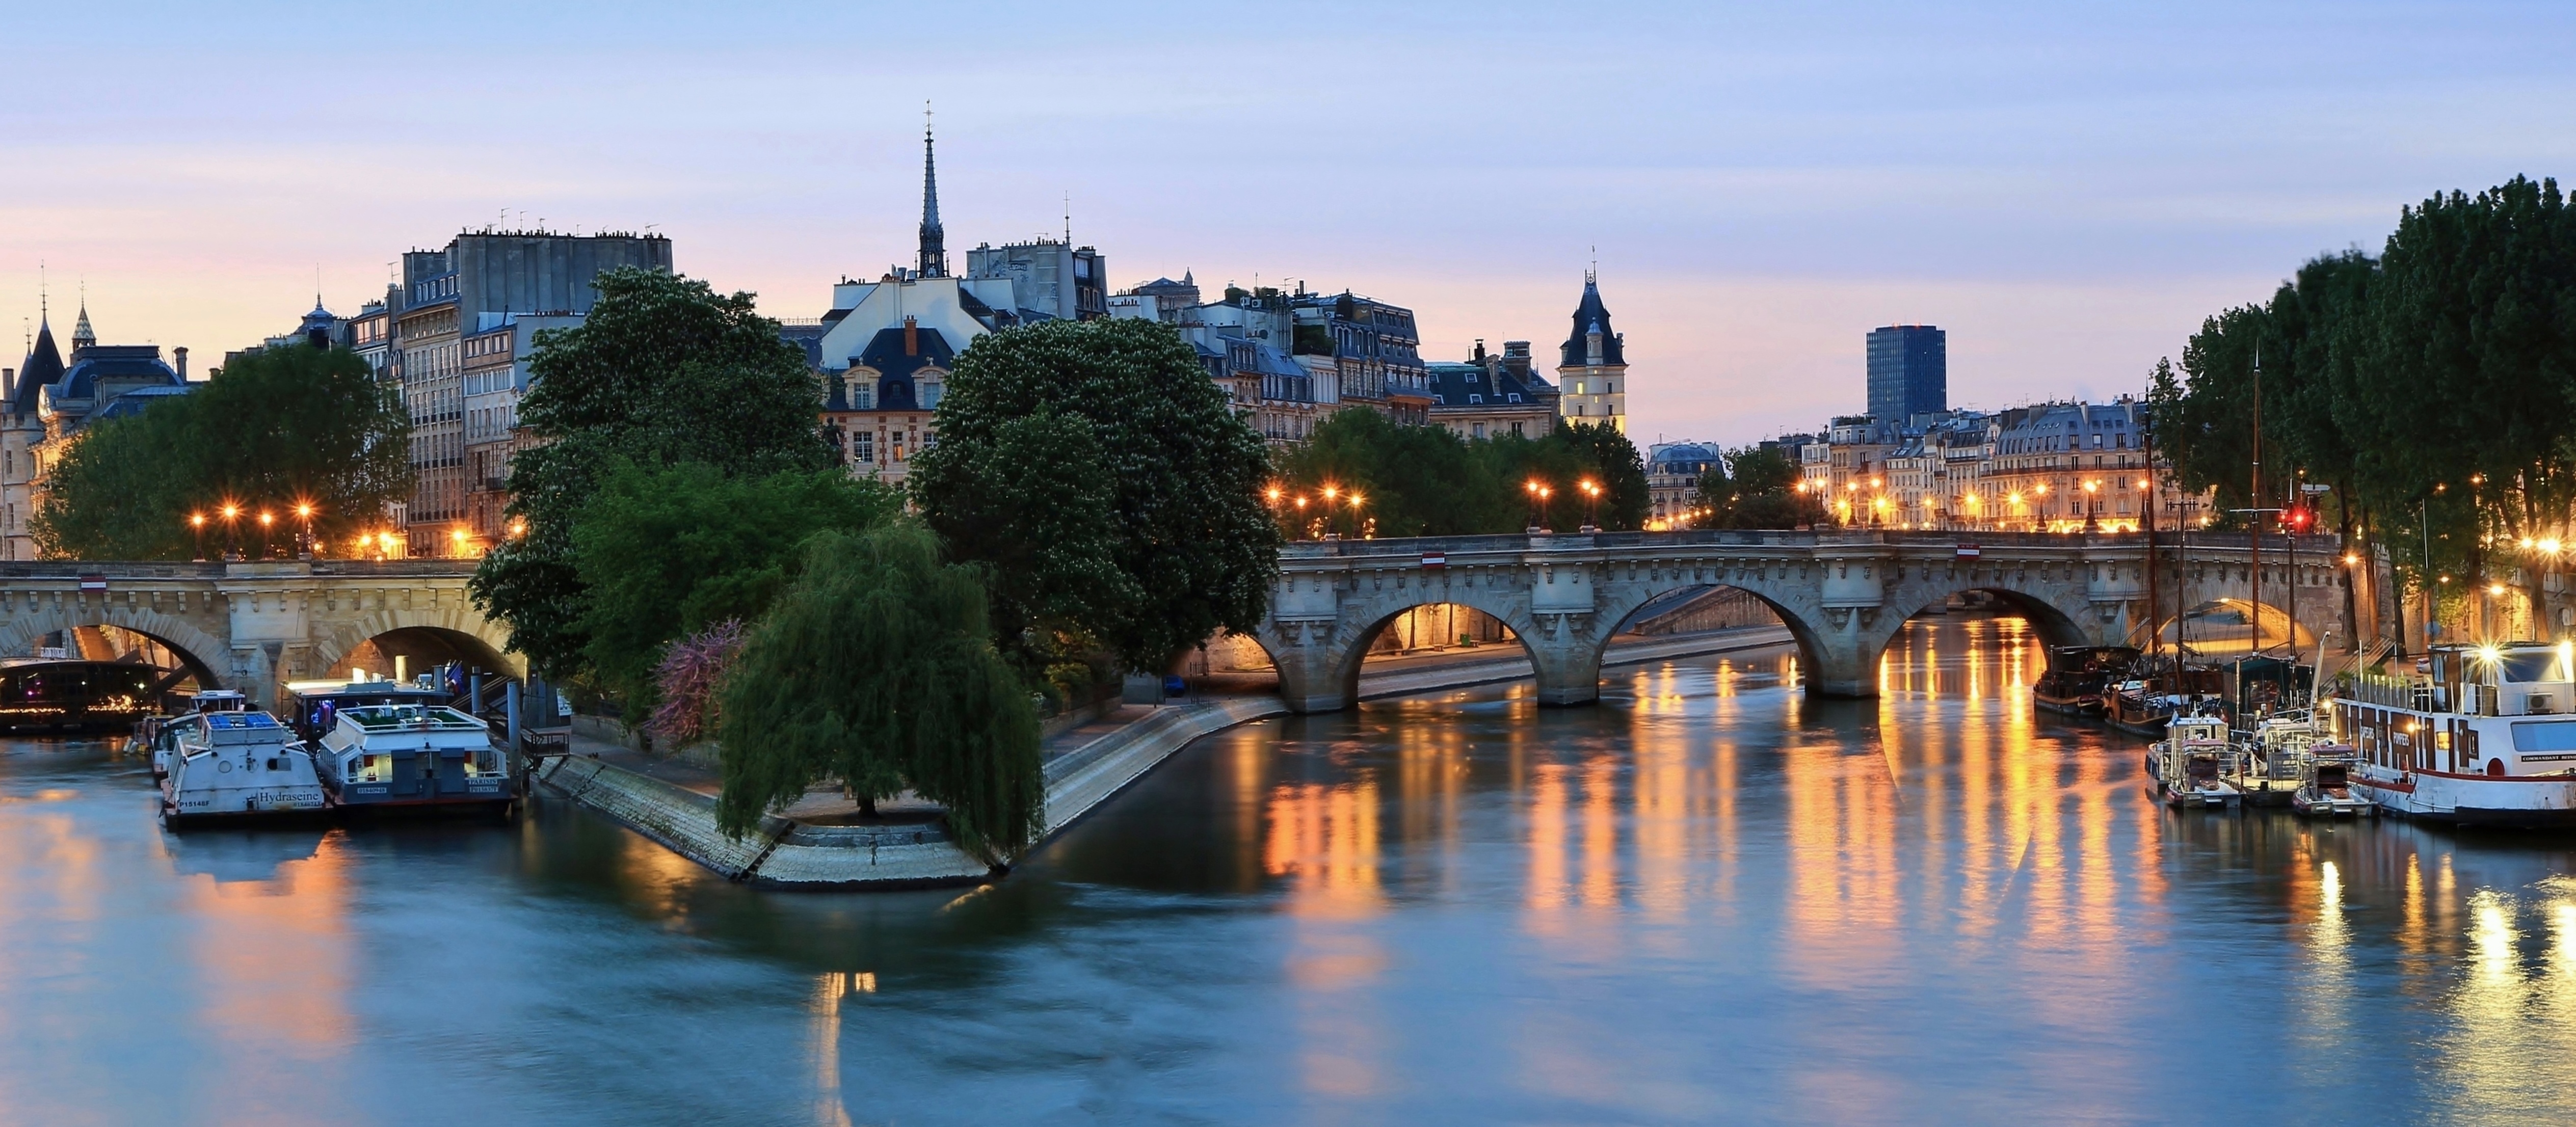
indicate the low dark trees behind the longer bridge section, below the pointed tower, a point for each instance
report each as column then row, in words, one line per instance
column 1434, row 482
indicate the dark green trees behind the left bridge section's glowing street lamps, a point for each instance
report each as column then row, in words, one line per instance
column 272, row 431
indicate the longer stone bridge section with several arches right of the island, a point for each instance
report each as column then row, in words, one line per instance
column 1843, row 596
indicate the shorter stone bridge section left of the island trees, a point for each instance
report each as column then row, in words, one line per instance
column 256, row 627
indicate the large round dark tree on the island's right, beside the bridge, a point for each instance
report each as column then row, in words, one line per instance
column 1184, row 482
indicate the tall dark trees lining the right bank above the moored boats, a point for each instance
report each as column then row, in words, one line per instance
column 2433, row 385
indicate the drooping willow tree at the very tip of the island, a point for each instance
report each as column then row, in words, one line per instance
column 877, row 670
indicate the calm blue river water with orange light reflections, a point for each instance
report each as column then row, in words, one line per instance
column 1704, row 902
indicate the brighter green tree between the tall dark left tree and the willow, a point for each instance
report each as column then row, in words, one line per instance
column 674, row 549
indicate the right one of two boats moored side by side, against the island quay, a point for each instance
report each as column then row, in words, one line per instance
column 413, row 758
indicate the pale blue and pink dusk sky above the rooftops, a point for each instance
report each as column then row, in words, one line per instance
column 2067, row 189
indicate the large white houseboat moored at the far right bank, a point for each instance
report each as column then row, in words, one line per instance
column 2487, row 737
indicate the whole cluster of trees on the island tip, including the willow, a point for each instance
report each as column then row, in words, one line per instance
column 697, row 552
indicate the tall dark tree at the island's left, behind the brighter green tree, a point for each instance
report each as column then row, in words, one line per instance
column 663, row 372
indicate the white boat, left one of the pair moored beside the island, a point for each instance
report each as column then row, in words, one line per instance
column 233, row 765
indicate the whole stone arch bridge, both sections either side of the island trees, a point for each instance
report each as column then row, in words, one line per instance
column 1843, row 598
